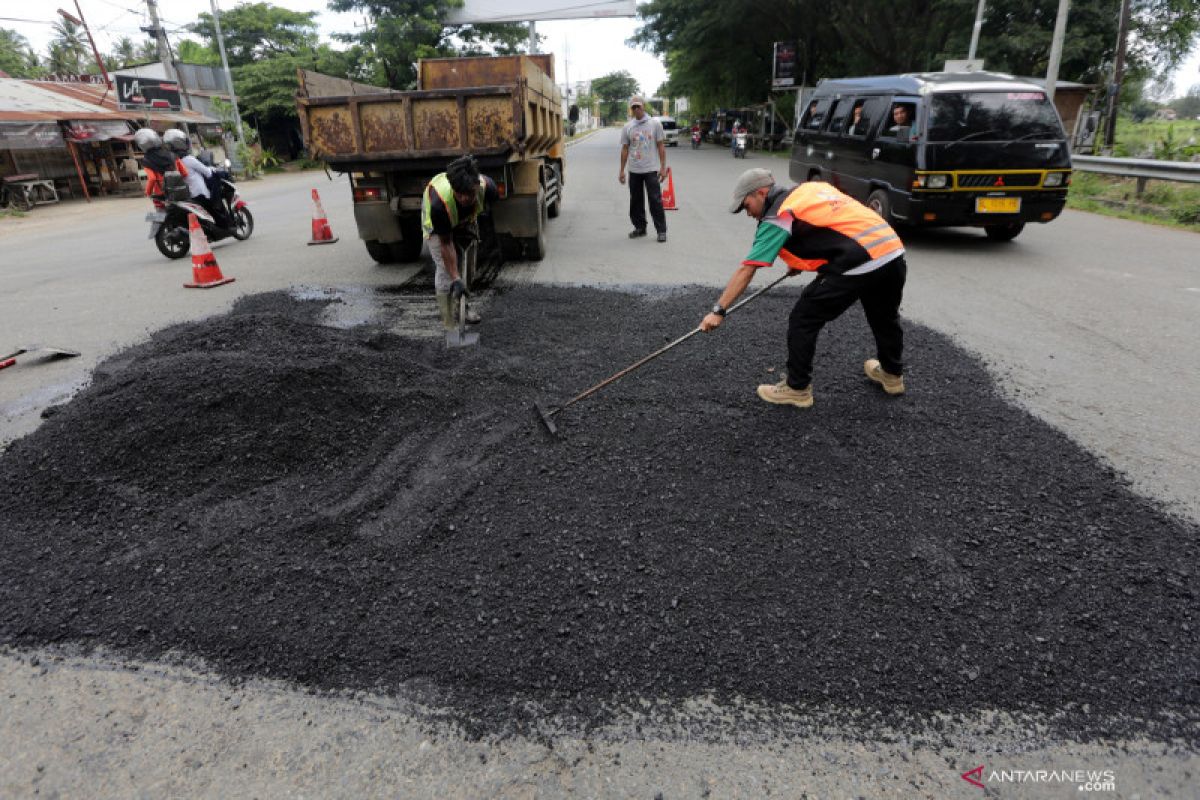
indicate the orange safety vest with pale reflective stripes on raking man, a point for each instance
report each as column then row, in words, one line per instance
column 821, row 206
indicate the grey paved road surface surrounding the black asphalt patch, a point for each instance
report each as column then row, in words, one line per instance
column 1088, row 322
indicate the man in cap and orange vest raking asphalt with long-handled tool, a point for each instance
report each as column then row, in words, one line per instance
column 857, row 258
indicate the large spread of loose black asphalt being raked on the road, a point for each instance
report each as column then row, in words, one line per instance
column 356, row 510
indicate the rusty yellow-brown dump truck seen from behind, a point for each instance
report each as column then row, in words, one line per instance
column 505, row 111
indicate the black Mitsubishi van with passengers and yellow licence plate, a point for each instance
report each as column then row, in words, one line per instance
column 939, row 149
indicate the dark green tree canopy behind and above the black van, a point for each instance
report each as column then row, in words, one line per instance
column 721, row 53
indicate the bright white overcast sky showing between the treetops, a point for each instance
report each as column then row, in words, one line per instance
column 596, row 47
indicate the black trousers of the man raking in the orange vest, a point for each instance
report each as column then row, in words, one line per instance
column 829, row 297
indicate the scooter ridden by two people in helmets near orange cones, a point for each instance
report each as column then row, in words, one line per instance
column 169, row 221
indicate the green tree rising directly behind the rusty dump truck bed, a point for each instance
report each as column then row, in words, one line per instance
column 403, row 32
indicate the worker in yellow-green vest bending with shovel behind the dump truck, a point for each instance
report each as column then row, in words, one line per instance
column 451, row 208
